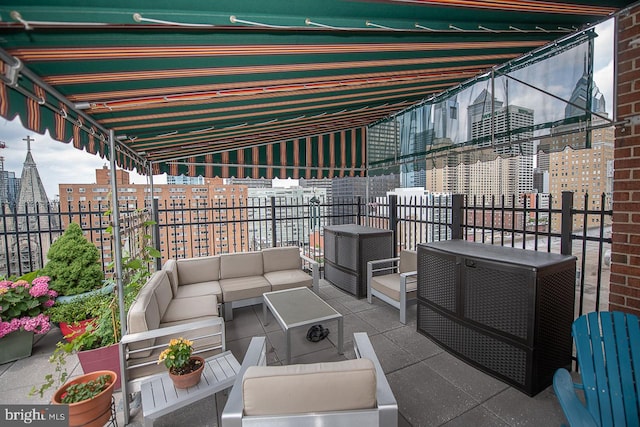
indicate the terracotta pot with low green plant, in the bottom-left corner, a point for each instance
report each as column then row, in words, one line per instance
column 88, row 397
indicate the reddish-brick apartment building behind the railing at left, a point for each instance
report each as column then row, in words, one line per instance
column 194, row 220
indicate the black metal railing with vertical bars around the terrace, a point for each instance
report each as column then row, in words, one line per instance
column 219, row 226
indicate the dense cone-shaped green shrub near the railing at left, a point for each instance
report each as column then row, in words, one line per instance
column 73, row 265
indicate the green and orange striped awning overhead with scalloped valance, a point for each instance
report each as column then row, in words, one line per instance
column 247, row 88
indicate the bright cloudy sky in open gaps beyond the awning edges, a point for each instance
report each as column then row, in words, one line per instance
column 60, row 163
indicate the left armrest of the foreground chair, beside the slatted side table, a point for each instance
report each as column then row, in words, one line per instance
column 255, row 356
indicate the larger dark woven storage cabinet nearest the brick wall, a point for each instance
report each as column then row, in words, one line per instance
column 508, row 311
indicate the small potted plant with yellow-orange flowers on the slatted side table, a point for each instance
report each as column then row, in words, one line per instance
column 185, row 369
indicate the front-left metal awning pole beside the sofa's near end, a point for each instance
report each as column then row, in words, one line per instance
column 117, row 249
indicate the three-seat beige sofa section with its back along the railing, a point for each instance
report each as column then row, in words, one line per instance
column 240, row 279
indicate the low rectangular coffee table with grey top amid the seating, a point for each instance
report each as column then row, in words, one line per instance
column 298, row 307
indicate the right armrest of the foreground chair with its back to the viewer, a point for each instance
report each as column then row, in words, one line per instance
column 387, row 404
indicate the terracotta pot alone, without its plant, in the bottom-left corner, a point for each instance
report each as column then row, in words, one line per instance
column 91, row 412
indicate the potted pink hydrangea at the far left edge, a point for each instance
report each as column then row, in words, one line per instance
column 22, row 314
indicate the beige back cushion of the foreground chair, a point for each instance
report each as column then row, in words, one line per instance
column 315, row 387
